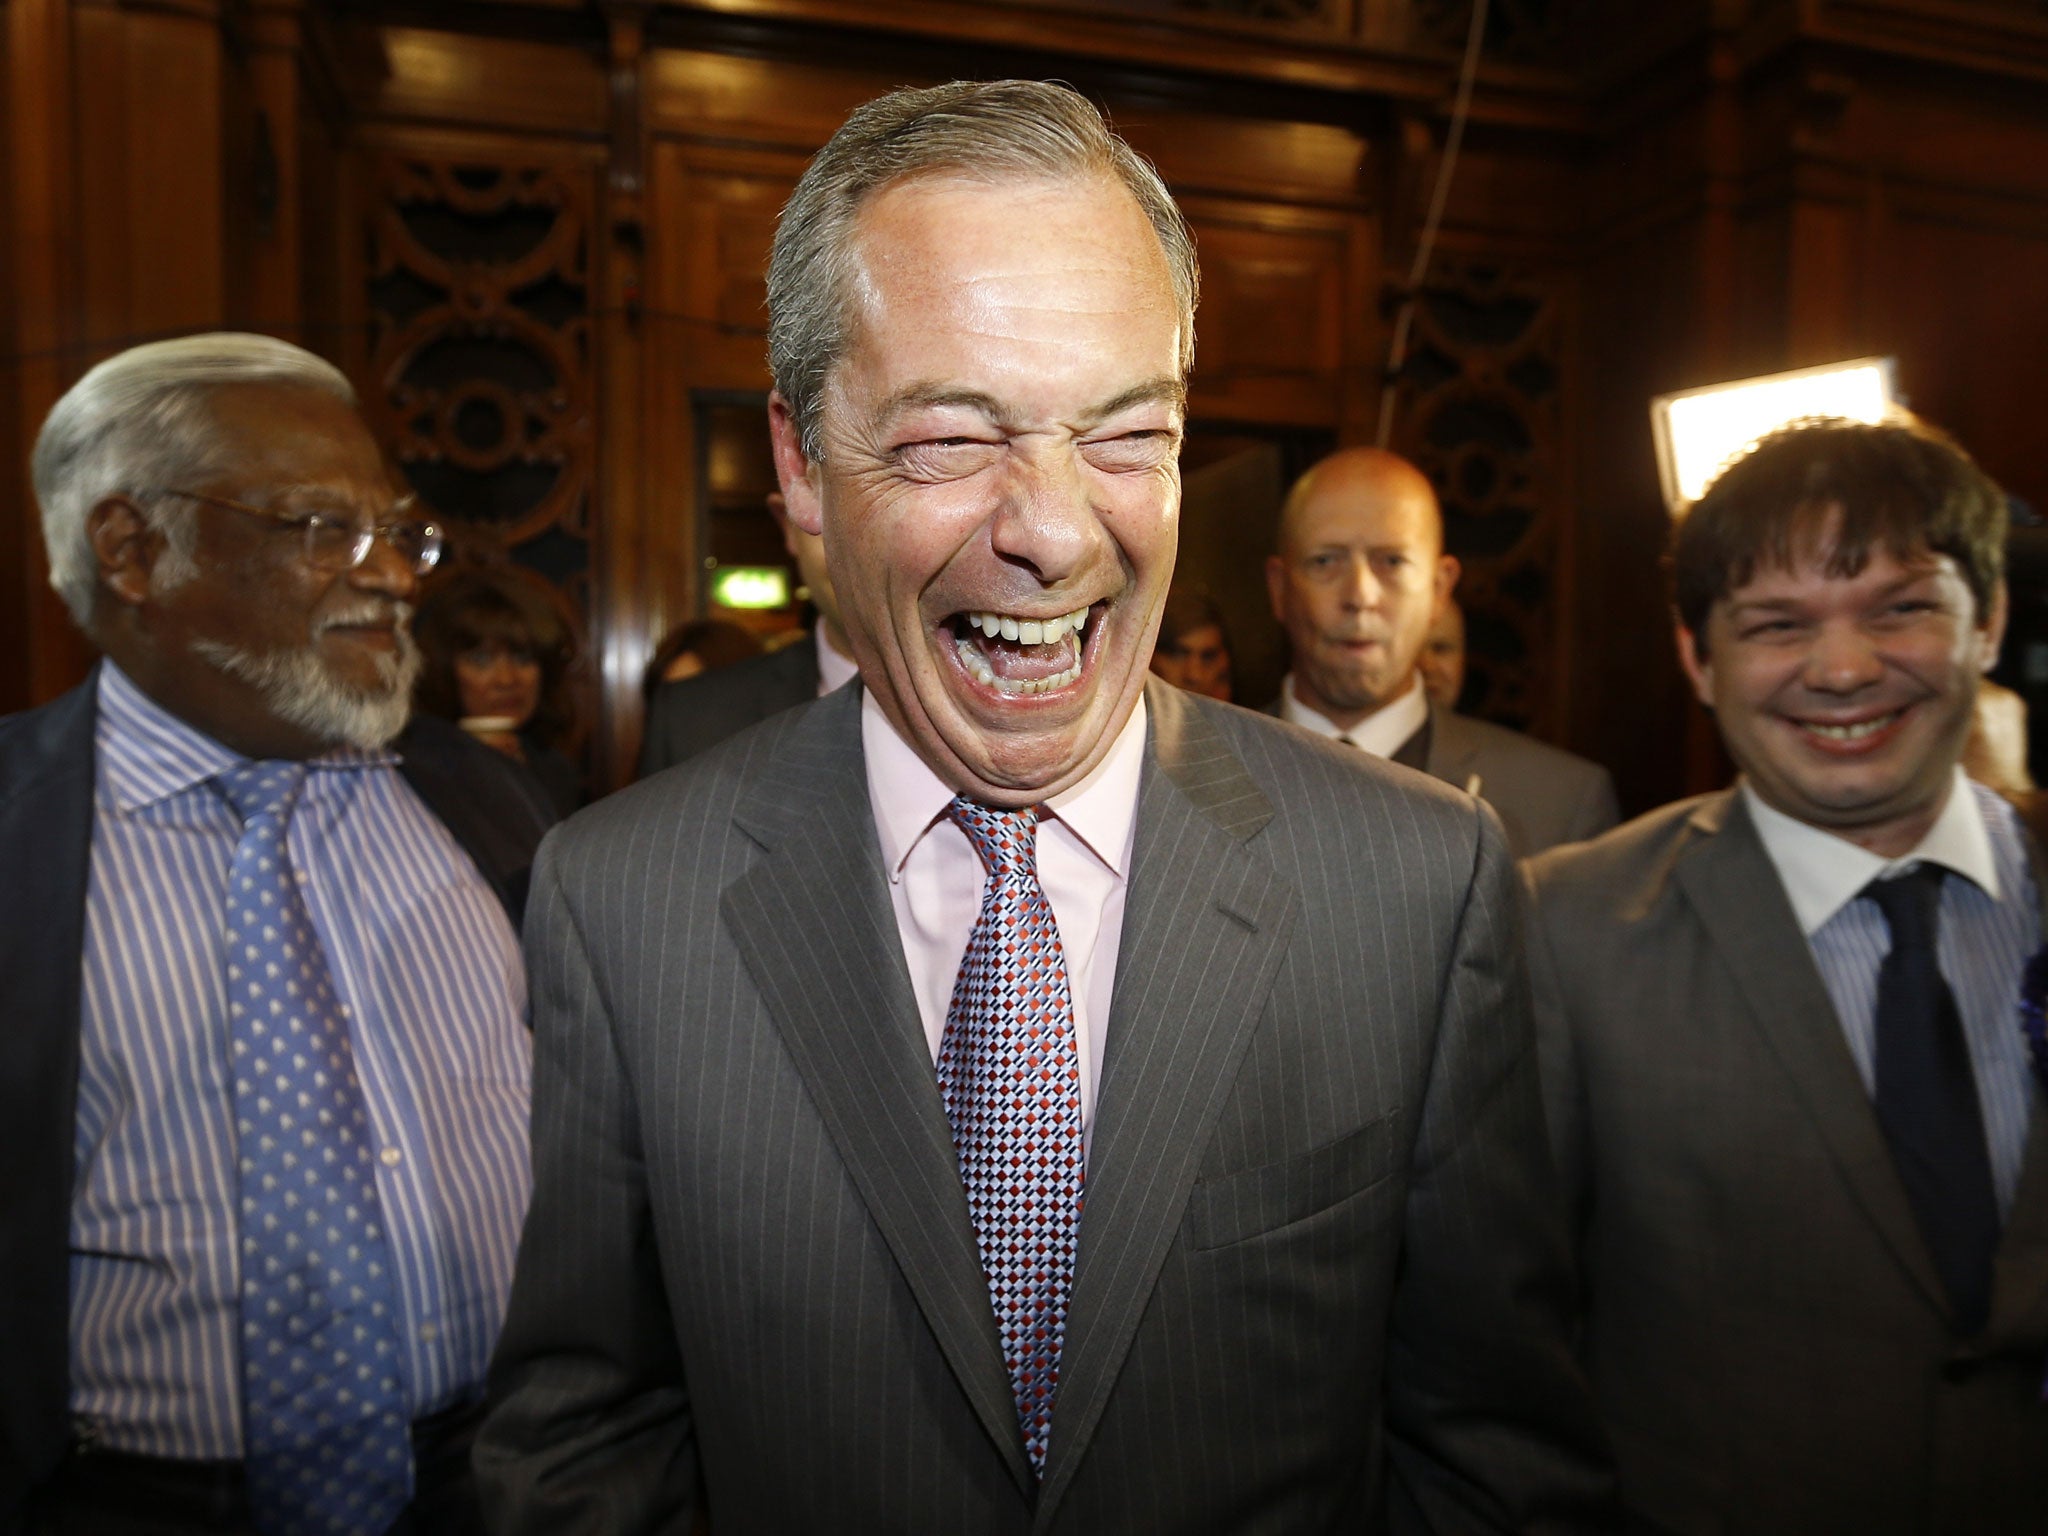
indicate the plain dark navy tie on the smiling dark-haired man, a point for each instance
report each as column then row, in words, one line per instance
column 1928, row 1097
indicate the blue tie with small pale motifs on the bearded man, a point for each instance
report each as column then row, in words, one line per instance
column 325, row 1422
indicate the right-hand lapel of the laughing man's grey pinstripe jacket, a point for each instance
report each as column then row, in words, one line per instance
column 1205, row 929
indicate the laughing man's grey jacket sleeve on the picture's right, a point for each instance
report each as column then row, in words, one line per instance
column 1492, row 1424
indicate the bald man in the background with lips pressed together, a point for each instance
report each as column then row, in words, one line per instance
column 1357, row 583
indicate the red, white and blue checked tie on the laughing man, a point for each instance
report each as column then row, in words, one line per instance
column 1011, row 1078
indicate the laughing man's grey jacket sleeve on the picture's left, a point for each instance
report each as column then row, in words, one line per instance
column 589, row 1420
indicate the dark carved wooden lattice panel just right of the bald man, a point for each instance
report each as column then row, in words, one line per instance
column 1482, row 417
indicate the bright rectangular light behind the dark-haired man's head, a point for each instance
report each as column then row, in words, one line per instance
column 1699, row 431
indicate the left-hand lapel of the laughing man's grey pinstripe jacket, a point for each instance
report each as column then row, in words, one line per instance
column 818, row 933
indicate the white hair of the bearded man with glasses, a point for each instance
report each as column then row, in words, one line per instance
column 136, row 425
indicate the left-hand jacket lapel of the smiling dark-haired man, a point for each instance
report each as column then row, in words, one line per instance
column 1744, row 908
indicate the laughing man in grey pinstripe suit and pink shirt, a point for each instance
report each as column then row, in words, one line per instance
column 787, row 1271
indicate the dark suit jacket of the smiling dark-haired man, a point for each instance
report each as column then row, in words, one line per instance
column 1766, row 1332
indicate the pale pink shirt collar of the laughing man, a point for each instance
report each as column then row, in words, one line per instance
column 908, row 798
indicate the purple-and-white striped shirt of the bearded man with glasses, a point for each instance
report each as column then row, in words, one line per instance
column 429, row 972
